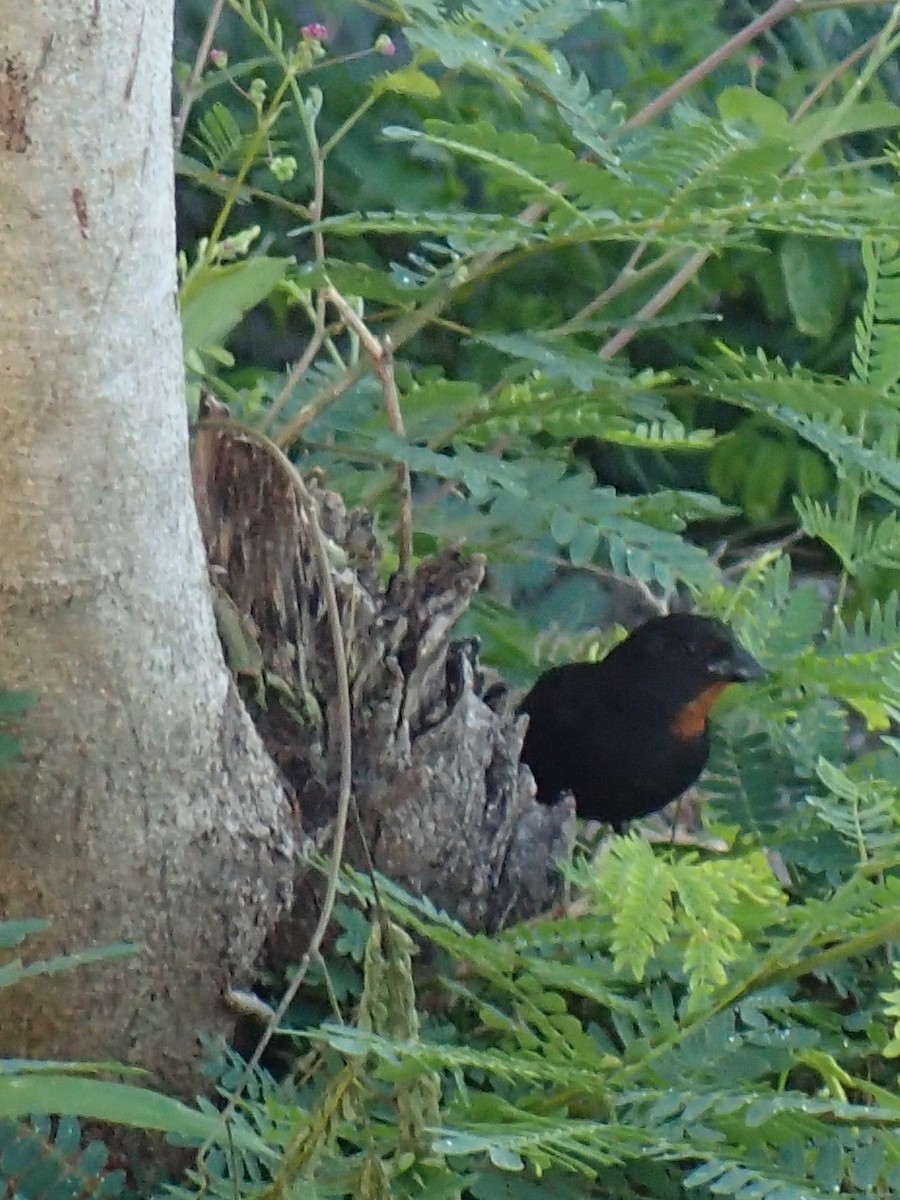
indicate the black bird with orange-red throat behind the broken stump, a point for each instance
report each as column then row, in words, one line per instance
column 628, row 735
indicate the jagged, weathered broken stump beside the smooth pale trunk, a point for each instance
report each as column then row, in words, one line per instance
column 446, row 808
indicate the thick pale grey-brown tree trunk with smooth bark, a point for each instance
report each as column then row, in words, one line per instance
column 146, row 808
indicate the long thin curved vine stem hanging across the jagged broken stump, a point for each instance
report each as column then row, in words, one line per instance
column 308, row 506
